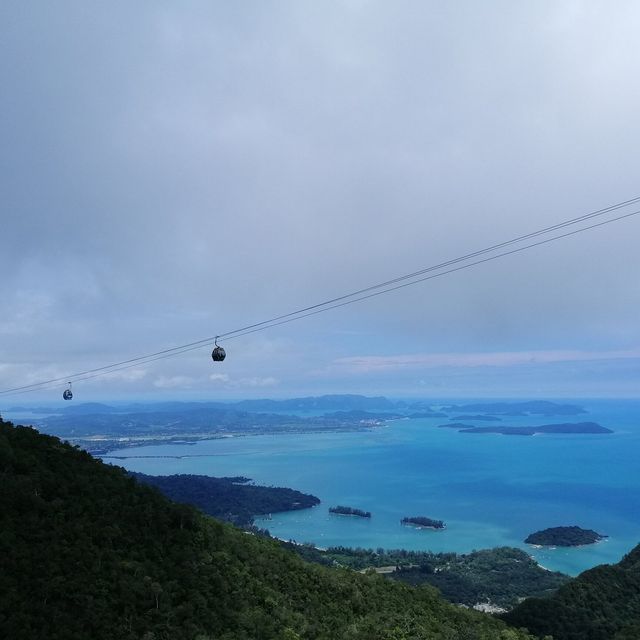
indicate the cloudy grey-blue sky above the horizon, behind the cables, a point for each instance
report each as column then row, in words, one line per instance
column 175, row 171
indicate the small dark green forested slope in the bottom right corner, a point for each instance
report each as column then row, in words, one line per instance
column 600, row 604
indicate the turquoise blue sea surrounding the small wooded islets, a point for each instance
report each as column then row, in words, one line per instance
column 490, row 489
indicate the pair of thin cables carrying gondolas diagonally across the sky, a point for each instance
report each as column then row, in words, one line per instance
column 344, row 300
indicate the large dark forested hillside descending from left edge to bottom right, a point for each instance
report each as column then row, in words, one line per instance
column 88, row 553
